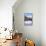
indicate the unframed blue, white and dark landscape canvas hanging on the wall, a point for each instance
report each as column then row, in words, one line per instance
column 28, row 19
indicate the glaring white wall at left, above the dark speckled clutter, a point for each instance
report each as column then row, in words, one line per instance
column 6, row 13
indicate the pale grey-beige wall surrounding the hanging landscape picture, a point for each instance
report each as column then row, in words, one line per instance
column 30, row 32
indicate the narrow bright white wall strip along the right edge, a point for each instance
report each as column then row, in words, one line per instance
column 43, row 22
